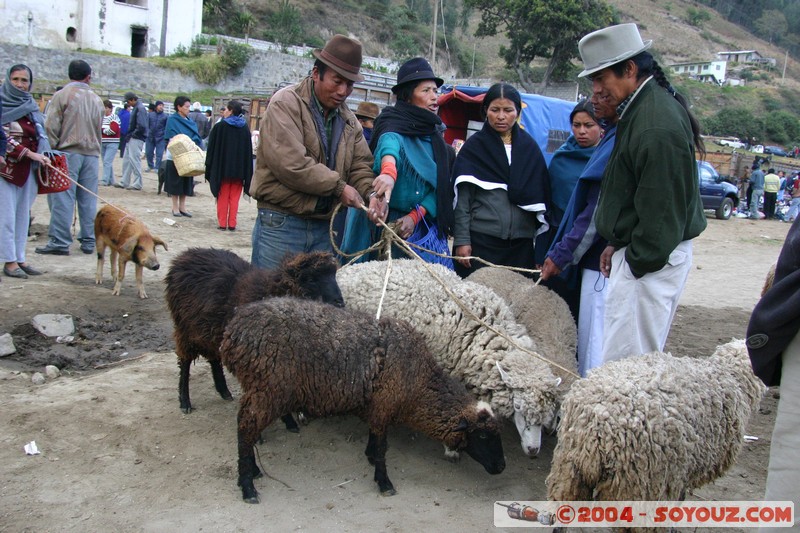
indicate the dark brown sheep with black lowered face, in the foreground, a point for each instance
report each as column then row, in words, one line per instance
column 289, row 354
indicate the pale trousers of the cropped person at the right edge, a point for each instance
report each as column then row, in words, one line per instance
column 784, row 466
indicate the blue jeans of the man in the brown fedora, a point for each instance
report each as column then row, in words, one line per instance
column 276, row 234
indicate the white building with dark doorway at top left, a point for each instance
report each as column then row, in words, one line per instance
column 139, row 28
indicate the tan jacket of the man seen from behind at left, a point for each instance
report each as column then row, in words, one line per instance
column 74, row 120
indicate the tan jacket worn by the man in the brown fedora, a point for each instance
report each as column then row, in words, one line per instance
column 291, row 174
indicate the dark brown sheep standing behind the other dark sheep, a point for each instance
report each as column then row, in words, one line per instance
column 204, row 286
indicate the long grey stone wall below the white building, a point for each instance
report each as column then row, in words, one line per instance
column 113, row 75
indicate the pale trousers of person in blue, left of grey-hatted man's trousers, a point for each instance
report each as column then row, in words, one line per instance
column 590, row 320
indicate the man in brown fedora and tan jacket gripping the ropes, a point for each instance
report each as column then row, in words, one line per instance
column 312, row 156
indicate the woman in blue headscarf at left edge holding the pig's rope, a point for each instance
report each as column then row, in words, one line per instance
column 26, row 147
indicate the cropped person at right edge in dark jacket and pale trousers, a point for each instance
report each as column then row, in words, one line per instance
column 774, row 346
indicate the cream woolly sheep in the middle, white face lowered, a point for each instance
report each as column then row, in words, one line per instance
column 515, row 383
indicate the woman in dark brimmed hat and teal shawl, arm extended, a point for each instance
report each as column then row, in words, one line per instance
column 412, row 161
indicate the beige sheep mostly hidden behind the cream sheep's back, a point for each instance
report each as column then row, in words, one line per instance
column 544, row 314
